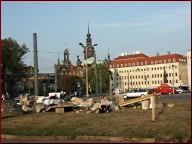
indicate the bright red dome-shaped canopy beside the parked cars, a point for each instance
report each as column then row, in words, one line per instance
column 166, row 89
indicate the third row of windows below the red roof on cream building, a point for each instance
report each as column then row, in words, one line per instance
column 147, row 82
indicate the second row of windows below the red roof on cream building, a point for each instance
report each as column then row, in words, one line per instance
column 144, row 76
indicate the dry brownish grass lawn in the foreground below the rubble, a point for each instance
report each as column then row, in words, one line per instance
column 128, row 122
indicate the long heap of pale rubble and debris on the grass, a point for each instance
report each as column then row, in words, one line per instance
column 47, row 103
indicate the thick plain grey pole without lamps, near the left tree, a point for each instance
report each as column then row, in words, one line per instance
column 35, row 63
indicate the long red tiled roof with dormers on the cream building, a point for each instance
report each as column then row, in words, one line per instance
column 141, row 59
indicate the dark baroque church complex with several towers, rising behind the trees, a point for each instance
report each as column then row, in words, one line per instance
column 66, row 68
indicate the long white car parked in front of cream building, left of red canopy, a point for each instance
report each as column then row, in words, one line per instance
column 136, row 93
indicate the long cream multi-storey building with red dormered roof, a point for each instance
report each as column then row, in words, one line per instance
column 141, row 71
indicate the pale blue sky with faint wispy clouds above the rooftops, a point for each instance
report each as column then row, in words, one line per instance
column 117, row 27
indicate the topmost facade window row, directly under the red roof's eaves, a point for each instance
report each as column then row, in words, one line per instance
column 146, row 69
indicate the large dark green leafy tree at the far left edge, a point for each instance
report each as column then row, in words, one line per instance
column 13, row 66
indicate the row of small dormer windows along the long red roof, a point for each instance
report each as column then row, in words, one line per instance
column 142, row 63
